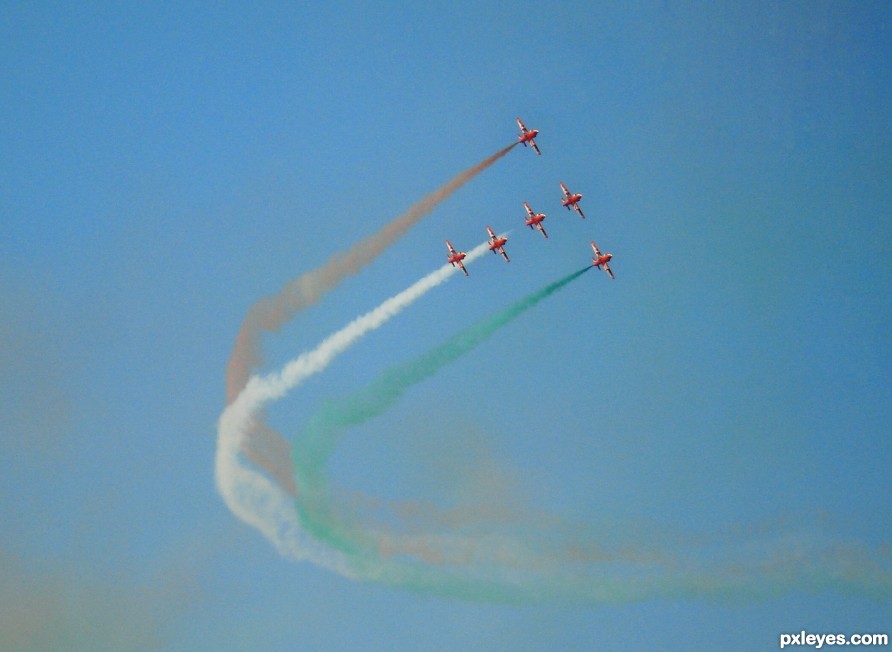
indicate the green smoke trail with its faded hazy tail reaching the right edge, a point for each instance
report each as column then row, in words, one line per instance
column 601, row 568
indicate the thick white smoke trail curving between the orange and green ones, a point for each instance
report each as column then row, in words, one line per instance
column 250, row 495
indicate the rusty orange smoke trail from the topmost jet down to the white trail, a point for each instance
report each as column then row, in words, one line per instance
column 270, row 313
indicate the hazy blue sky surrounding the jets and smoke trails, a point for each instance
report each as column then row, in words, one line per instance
column 164, row 167
